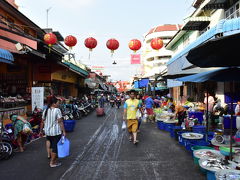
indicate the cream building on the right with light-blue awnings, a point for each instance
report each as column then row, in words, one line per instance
column 210, row 20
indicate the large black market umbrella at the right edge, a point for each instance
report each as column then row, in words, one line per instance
column 220, row 52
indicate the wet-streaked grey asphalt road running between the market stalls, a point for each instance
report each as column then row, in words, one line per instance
column 100, row 150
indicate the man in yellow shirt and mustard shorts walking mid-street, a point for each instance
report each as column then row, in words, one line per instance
column 130, row 110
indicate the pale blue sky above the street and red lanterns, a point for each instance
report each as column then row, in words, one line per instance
column 105, row 19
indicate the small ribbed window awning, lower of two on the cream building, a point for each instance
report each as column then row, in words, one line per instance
column 196, row 23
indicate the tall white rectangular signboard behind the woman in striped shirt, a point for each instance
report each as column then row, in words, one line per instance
column 37, row 97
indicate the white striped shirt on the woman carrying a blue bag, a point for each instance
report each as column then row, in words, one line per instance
column 51, row 125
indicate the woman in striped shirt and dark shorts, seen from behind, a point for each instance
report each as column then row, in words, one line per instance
column 53, row 128
